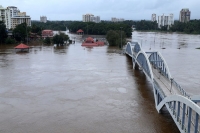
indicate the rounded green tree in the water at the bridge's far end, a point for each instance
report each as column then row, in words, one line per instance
column 114, row 38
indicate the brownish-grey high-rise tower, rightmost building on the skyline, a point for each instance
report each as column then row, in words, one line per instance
column 184, row 15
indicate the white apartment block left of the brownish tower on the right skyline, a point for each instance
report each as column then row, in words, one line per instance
column 164, row 20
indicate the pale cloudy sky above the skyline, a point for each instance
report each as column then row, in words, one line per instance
column 127, row 9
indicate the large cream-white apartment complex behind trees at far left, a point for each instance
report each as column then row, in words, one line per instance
column 13, row 17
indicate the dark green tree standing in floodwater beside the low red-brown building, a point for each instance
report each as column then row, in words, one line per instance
column 60, row 39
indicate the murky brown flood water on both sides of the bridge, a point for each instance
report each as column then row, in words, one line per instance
column 73, row 89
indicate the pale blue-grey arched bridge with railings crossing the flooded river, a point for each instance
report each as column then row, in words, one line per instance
column 183, row 107
